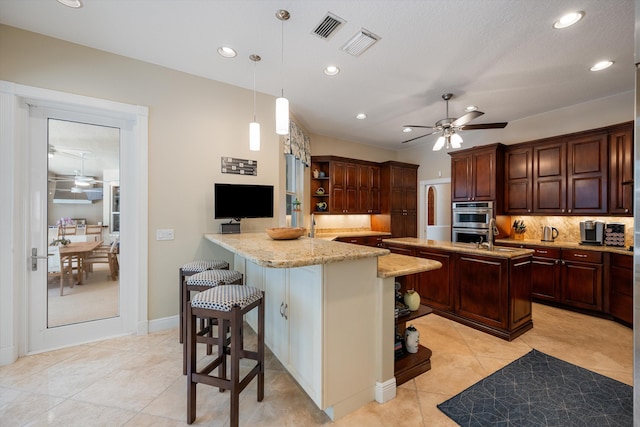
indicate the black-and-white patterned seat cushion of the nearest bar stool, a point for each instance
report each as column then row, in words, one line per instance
column 224, row 298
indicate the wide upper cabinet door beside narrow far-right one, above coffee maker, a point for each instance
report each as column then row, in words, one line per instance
column 587, row 174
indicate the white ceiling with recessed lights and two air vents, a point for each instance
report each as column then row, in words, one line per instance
column 501, row 55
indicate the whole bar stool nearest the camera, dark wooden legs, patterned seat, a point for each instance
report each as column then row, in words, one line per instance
column 228, row 304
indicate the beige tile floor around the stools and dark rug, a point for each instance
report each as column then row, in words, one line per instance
column 137, row 381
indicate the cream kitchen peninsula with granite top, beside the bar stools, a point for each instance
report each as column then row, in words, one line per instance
column 329, row 315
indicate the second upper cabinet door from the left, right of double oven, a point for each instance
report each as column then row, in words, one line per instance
column 549, row 178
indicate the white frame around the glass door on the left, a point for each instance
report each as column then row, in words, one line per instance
column 14, row 217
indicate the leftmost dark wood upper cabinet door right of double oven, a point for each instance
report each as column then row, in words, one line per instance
column 518, row 176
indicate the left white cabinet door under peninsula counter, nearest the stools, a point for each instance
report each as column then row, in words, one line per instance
column 276, row 326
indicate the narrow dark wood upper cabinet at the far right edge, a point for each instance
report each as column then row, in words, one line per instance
column 621, row 170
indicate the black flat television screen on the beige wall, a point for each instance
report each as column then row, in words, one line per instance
column 237, row 201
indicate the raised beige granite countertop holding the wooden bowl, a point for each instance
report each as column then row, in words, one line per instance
column 264, row 251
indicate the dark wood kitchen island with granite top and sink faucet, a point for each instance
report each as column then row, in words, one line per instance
column 486, row 289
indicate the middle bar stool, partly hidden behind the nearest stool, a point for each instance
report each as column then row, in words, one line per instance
column 199, row 282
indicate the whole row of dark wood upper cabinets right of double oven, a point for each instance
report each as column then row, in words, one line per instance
column 584, row 173
